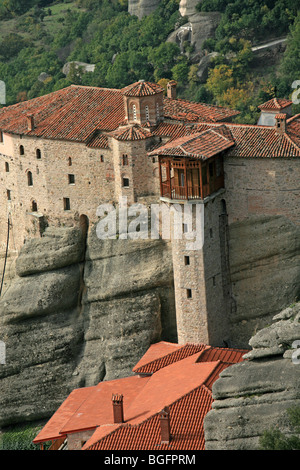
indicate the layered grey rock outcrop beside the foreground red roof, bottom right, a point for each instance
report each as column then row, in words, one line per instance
column 253, row 396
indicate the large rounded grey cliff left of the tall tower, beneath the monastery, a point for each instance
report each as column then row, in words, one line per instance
column 79, row 311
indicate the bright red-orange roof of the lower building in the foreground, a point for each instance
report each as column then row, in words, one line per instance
column 179, row 377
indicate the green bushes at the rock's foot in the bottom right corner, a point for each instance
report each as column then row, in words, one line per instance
column 275, row 440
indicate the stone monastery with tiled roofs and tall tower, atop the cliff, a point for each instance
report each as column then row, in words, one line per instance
column 63, row 154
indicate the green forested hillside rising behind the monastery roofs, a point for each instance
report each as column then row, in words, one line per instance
column 40, row 36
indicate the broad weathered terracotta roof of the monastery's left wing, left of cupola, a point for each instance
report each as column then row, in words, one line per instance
column 73, row 113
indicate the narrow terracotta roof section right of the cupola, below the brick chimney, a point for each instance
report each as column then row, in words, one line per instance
column 189, row 111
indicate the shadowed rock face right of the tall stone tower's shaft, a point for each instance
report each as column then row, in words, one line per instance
column 264, row 271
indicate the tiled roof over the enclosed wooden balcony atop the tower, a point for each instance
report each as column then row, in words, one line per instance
column 201, row 145
